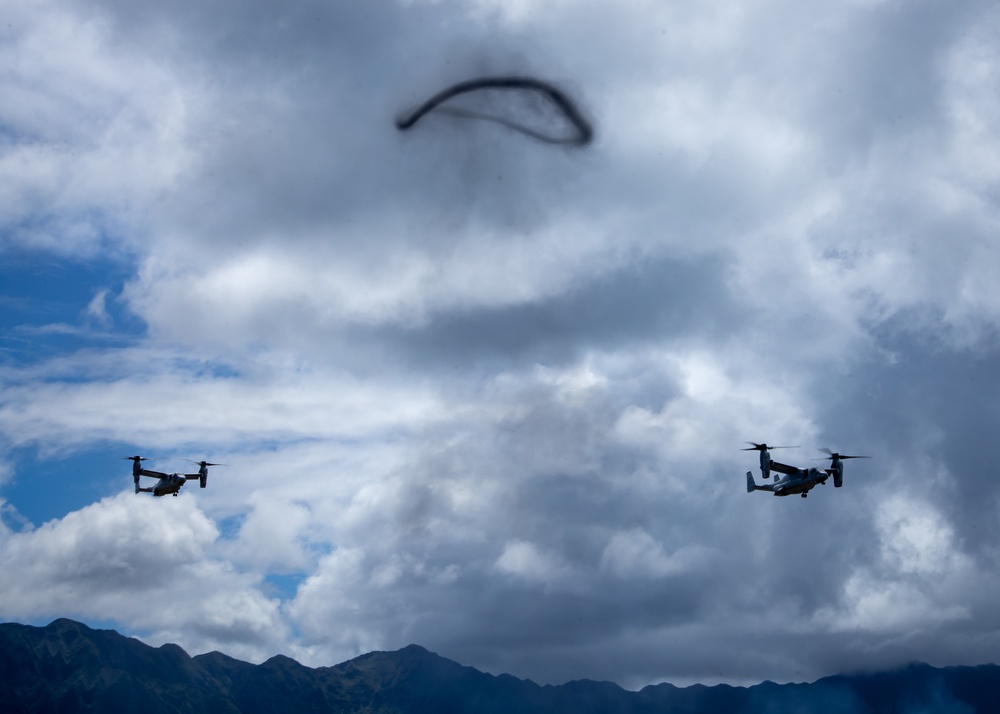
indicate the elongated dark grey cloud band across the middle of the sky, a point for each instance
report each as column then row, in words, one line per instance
column 646, row 301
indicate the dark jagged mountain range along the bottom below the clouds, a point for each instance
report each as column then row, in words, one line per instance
column 67, row 667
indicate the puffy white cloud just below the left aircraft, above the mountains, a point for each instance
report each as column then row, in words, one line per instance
column 150, row 566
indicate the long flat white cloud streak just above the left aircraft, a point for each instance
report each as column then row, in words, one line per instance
column 162, row 403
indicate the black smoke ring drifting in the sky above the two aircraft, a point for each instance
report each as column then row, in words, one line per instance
column 584, row 133
